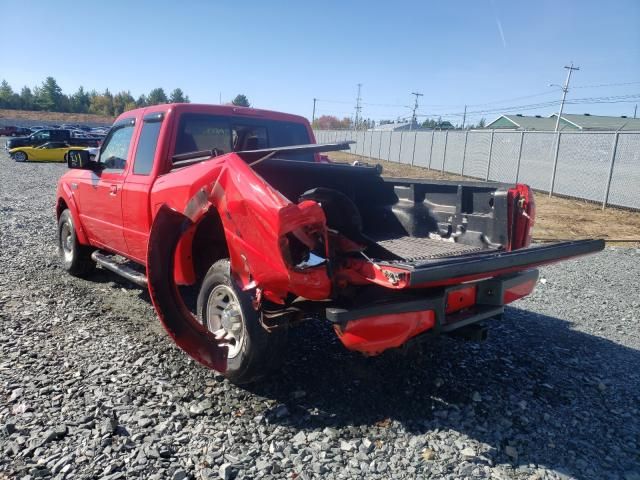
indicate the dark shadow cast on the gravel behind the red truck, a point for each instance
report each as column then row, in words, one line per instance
column 536, row 392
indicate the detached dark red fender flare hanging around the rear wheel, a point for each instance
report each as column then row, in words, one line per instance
column 185, row 329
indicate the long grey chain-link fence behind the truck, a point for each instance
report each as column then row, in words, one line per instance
column 602, row 167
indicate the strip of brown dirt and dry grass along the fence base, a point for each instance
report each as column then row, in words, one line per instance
column 556, row 218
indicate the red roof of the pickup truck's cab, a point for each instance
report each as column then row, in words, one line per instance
column 226, row 110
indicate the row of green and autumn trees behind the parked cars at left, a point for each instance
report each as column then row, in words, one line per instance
column 49, row 97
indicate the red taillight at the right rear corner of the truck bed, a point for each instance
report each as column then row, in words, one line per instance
column 521, row 216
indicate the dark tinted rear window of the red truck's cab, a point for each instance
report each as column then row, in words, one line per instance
column 198, row 131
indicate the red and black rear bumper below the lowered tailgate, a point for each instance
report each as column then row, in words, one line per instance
column 373, row 329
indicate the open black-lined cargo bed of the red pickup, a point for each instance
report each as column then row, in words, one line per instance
column 399, row 219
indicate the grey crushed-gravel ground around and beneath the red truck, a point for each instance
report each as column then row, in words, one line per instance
column 92, row 387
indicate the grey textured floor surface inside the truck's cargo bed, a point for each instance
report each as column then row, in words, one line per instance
column 417, row 248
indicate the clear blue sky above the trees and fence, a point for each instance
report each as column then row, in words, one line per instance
column 283, row 54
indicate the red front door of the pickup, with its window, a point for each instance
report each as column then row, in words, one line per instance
column 101, row 191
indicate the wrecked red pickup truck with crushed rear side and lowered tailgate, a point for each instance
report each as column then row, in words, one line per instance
column 239, row 204
